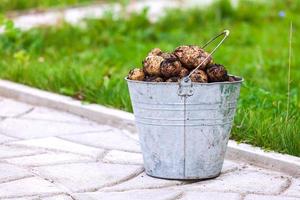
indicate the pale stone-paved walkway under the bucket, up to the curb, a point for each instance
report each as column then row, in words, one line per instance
column 51, row 155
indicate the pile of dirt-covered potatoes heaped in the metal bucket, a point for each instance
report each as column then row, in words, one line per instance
column 161, row 66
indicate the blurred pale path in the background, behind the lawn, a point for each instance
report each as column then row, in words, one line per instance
column 74, row 15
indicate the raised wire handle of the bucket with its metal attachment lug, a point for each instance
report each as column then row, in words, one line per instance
column 185, row 85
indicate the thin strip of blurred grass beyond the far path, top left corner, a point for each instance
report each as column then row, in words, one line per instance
column 13, row 5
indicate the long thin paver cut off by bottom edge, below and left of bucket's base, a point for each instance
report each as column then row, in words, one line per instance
column 131, row 195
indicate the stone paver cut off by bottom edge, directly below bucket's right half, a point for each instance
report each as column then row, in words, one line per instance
column 211, row 196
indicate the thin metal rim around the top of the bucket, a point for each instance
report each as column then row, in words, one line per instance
column 241, row 80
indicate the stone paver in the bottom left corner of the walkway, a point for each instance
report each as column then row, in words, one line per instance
column 28, row 187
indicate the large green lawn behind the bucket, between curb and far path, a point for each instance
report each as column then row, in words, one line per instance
column 93, row 61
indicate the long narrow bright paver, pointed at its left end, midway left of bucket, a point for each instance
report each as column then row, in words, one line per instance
column 53, row 143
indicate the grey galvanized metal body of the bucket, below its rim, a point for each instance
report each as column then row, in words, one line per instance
column 184, row 137
